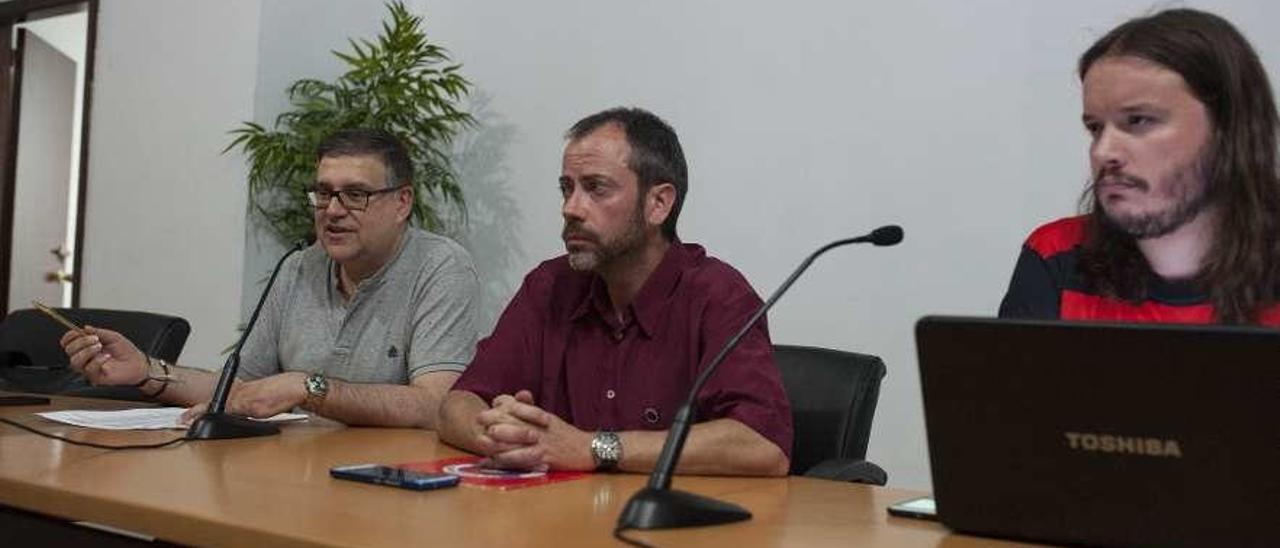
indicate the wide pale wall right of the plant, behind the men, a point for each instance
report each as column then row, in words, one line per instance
column 810, row 121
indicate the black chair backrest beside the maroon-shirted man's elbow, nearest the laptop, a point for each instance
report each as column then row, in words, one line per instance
column 834, row 396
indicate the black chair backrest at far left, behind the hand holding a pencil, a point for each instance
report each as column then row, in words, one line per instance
column 29, row 337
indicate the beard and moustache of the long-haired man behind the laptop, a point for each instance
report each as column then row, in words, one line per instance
column 1187, row 193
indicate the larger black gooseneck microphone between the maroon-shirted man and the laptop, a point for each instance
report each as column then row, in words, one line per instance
column 657, row 506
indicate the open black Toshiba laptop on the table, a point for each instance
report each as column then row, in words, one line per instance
column 1104, row 435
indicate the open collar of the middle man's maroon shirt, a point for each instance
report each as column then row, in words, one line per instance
column 655, row 295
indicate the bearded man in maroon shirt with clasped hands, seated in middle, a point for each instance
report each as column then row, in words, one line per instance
column 600, row 348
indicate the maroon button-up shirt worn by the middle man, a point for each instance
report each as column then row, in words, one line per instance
column 560, row 340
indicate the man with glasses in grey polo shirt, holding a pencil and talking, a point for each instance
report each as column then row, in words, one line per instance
column 369, row 327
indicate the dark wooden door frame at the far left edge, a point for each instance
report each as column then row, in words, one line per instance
column 17, row 12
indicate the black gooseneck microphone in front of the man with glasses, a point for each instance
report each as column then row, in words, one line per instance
column 216, row 423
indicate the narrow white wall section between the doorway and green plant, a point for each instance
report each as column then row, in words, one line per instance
column 166, row 211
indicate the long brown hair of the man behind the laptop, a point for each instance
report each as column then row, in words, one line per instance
column 1241, row 272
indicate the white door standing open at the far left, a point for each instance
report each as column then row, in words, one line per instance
column 49, row 60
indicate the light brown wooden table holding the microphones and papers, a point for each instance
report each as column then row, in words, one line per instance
column 276, row 491
